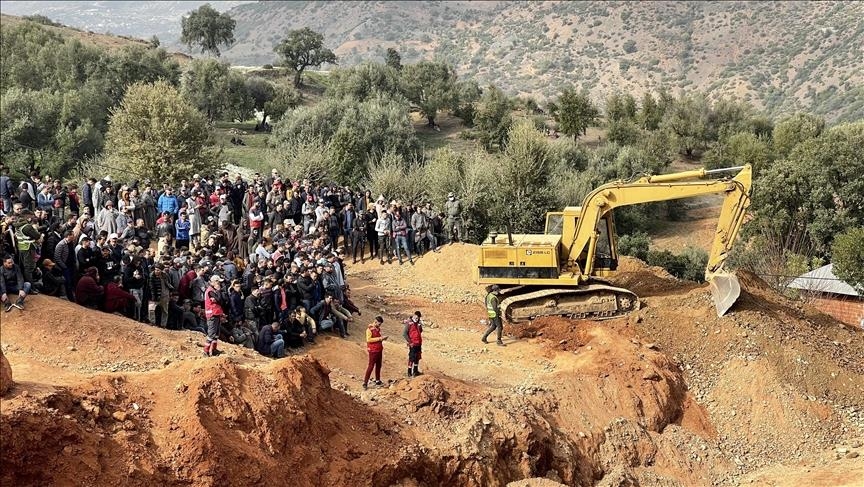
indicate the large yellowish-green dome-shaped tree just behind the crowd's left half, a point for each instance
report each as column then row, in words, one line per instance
column 156, row 133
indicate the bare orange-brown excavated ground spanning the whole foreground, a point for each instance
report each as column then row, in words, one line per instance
column 670, row 395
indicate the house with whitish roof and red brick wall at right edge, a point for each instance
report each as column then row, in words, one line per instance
column 831, row 295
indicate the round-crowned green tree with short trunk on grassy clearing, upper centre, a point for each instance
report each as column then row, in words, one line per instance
column 430, row 85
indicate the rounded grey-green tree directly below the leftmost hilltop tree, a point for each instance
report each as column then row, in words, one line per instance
column 216, row 90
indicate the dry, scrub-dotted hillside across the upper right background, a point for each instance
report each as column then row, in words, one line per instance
column 782, row 56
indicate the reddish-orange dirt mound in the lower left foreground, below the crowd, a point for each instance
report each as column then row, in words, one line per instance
column 205, row 423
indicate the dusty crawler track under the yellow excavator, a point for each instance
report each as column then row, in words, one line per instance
column 591, row 301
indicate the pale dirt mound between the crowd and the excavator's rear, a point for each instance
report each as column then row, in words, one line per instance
column 445, row 276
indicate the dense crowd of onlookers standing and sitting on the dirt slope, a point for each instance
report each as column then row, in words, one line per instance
column 258, row 262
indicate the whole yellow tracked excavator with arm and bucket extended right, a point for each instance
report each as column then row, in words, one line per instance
column 561, row 272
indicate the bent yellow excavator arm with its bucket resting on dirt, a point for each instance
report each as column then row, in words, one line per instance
column 667, row 187
